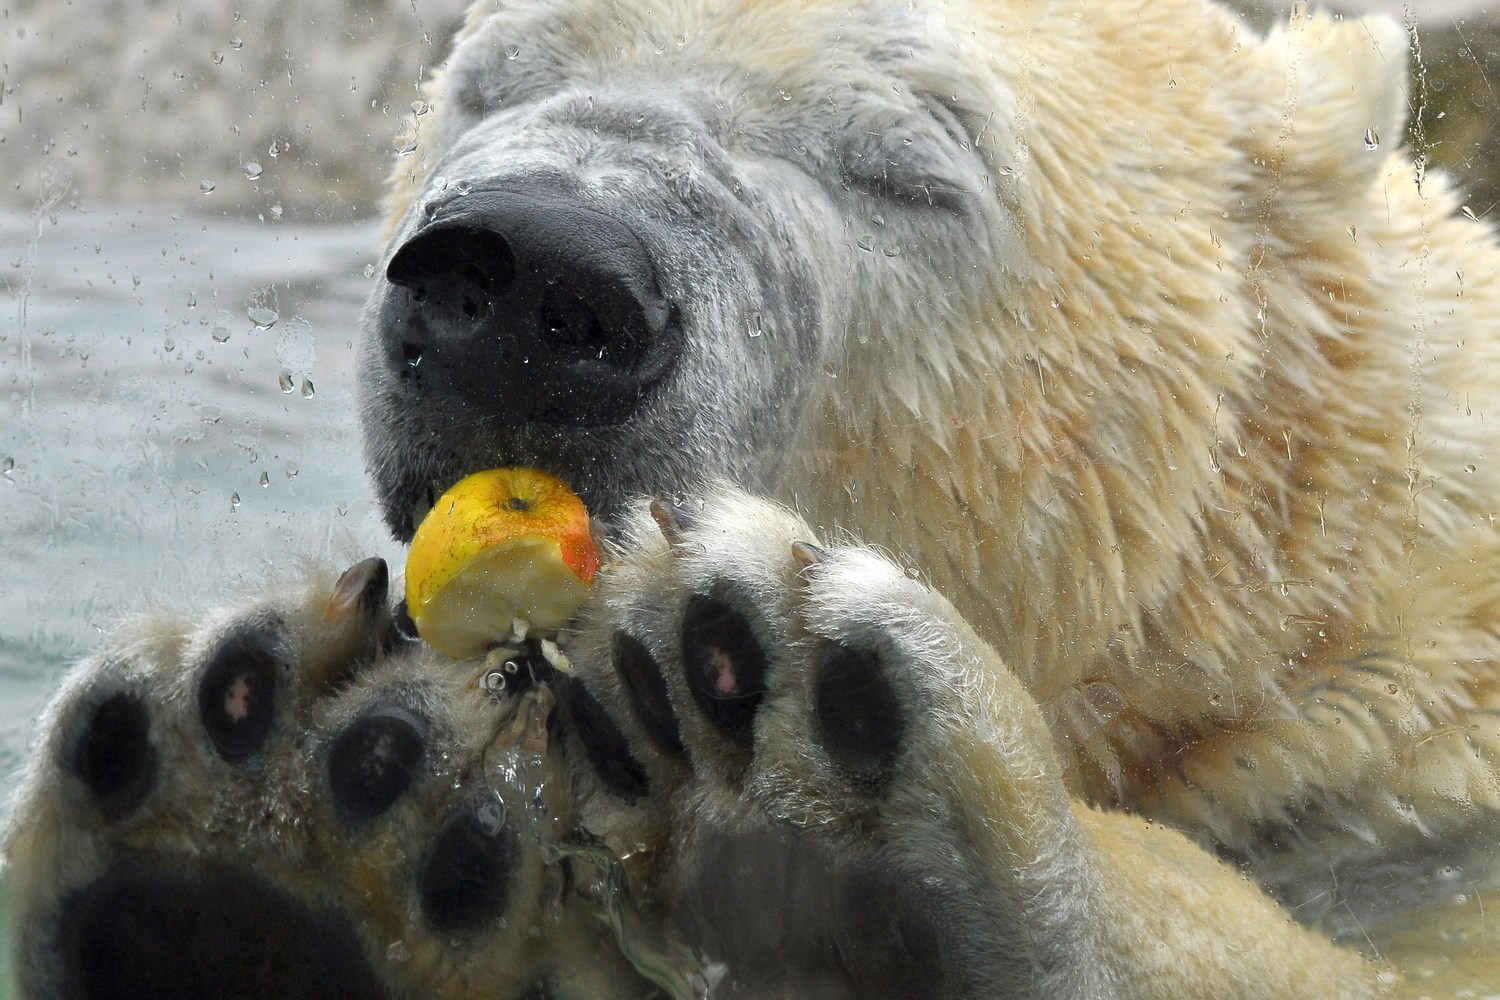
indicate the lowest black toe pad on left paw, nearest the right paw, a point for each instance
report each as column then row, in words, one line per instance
column 466, row 876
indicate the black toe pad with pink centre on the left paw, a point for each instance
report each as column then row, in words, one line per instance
column 238, row 693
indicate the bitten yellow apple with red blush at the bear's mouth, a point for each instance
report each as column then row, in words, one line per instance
column 500, row 546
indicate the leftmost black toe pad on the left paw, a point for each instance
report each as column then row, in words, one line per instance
column 113, row 756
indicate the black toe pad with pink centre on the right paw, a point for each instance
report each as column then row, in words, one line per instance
column 725, row 666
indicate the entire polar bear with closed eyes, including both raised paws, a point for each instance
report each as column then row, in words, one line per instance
column 1120, row 325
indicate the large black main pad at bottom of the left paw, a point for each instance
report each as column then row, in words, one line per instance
column 149, row 933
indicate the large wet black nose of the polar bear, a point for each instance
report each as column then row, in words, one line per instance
column 530, row 307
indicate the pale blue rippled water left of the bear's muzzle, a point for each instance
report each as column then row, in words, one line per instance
column 149, row 455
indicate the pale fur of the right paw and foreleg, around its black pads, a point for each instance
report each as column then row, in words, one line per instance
column 1112, row 906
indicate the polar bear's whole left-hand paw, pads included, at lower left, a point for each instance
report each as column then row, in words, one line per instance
column 293, row 801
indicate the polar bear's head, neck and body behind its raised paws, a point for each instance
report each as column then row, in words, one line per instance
column 1127, row 328
